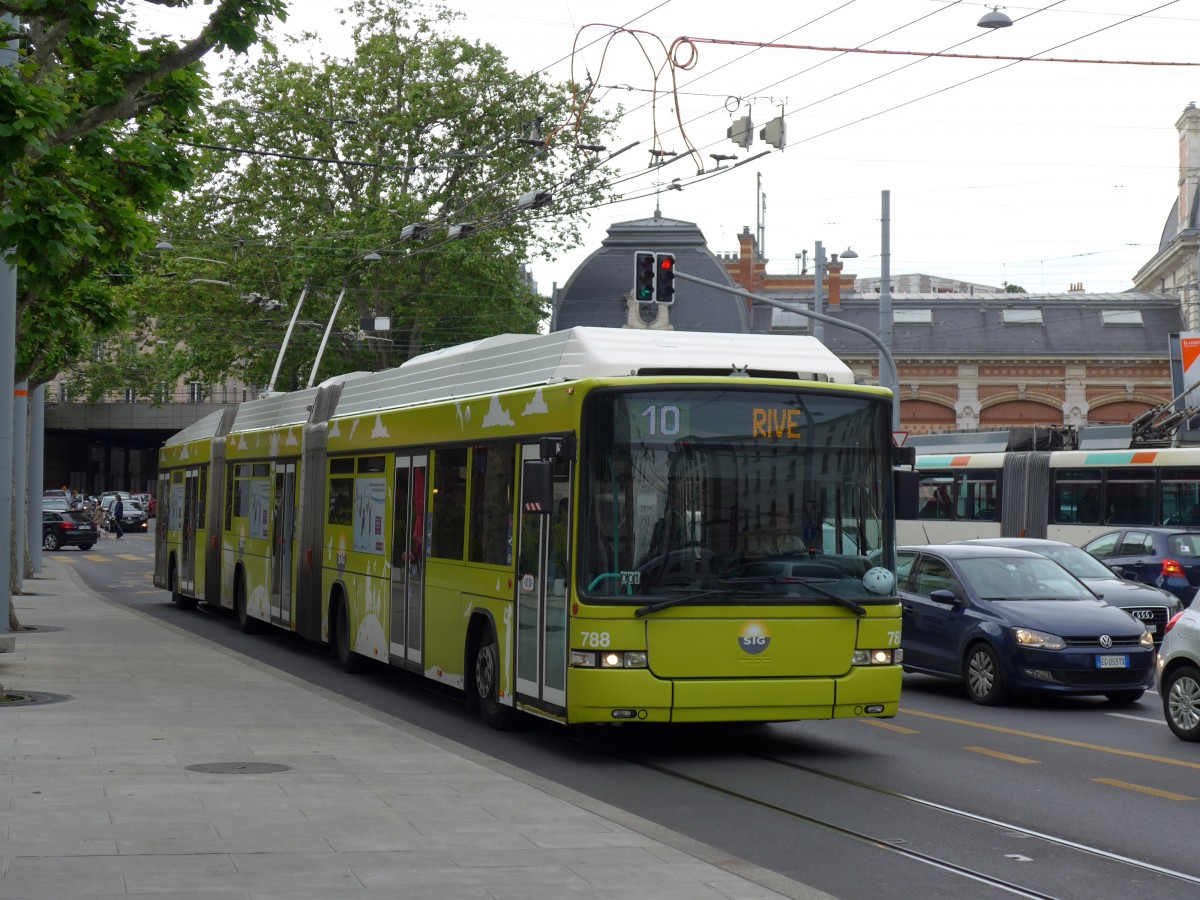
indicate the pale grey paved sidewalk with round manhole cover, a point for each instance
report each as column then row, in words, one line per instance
column 97, row 800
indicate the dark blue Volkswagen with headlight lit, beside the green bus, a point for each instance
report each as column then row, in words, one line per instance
column 1009, row 621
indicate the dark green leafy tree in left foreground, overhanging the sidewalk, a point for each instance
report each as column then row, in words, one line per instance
column 92, row 122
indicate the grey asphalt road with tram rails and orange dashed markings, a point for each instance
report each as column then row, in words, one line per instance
column 1066, row 799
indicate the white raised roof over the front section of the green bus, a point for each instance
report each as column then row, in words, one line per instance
column 512, row 362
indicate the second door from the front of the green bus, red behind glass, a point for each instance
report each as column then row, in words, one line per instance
column 409, row 562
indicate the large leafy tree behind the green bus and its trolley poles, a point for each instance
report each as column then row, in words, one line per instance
column 311, row 163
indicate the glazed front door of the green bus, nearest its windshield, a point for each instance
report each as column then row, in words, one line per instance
column 543, row 579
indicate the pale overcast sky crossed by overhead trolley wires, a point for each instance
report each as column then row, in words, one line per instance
column 1001, row 166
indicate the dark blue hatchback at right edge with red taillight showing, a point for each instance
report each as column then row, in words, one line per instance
column 1168, row 559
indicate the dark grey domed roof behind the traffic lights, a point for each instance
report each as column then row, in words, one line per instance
column 596, row 295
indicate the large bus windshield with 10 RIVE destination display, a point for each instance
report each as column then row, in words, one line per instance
column 773, row 495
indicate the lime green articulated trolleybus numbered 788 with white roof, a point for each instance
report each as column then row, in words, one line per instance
column 571, row 525
